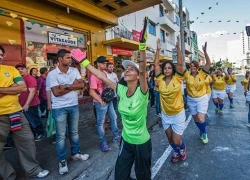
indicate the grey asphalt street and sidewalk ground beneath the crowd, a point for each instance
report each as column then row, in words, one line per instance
column 225, row 157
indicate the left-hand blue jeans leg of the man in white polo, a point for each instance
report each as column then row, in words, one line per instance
column 60, row 116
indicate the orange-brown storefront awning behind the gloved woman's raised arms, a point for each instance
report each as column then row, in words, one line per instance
column 122, row 43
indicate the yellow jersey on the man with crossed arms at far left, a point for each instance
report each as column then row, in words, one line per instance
column 9, row 103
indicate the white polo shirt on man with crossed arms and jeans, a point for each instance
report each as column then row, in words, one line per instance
column 55, row 78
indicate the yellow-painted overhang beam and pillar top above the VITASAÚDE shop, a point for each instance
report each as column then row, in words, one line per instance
column 52, row 15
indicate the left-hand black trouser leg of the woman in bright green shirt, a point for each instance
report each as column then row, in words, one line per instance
column 124, row 161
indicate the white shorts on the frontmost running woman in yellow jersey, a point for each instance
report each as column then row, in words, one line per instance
column 177, row 122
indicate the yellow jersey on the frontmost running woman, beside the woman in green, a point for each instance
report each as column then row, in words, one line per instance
column 171, row 95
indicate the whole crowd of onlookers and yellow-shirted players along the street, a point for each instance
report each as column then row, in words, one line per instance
column 26, row 97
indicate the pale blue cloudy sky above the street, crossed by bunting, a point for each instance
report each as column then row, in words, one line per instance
column 234, row 10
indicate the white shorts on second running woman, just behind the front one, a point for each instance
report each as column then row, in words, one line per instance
column 199, row 104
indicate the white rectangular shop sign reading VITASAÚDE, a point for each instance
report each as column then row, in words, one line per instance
column 61, row 39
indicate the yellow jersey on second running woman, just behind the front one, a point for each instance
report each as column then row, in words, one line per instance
column 196, row 86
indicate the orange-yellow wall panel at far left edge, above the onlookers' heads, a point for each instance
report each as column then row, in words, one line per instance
column 9, row 32
